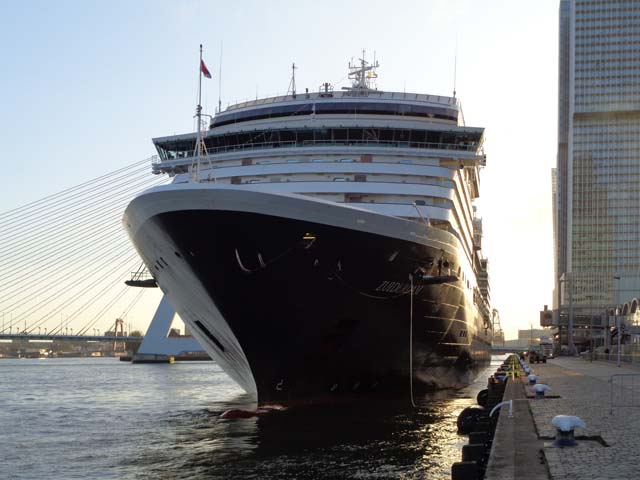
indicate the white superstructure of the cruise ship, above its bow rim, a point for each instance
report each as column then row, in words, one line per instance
column 407, row 154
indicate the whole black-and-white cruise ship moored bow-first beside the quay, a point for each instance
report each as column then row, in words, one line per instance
column 325, row 245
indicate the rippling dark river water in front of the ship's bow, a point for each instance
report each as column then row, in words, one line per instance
column 101, row 418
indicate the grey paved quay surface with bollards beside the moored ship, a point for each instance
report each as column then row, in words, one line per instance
column 609, row 447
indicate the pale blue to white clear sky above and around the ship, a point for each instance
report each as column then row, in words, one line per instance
column 86, row 84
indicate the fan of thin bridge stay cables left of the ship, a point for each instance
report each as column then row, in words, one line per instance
column 64, row 260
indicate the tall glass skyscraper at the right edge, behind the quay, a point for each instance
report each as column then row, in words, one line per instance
column 596, row 184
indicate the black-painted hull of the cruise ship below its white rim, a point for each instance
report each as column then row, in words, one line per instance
column 322, row 311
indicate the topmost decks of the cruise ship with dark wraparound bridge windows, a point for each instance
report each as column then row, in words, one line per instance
column 364, row 118
